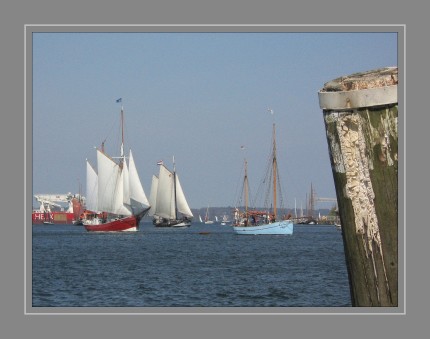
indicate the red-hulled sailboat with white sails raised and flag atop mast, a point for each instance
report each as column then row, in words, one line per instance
column 115, row 195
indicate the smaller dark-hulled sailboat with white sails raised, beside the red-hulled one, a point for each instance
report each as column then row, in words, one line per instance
column 170, row 207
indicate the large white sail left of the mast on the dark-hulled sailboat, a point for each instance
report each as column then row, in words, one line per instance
column 165, row 204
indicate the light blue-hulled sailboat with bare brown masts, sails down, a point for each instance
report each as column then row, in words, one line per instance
column 255, row 222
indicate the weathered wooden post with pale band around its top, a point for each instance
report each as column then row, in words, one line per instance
column 360, row 115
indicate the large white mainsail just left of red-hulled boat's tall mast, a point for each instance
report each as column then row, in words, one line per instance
column 110, row 186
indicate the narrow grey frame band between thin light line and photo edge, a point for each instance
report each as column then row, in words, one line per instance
column 30, row 29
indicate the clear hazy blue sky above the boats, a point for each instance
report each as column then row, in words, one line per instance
column 198, row 97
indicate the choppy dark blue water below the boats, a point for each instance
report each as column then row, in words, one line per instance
column 165, row 267
